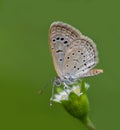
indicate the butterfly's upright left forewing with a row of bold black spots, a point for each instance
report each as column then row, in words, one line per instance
column 61, row 36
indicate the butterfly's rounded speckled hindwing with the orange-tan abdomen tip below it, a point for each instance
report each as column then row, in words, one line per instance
column 80, row 58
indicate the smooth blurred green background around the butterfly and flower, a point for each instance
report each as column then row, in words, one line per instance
column 26, row 66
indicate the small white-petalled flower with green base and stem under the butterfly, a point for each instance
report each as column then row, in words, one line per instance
column 75, row 102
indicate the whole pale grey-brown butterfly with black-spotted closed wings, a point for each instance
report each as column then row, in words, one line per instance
column 74, row 55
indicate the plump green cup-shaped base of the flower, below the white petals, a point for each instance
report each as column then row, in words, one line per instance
column 77, row 106
